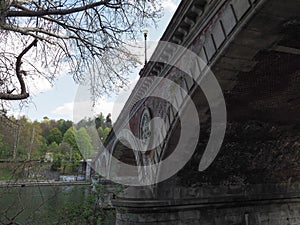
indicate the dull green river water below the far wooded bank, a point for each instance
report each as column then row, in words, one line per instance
column 37, row 205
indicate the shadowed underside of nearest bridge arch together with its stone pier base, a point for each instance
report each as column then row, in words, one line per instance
column 255, row 178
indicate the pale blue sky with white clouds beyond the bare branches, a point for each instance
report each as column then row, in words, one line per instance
column 56, row 101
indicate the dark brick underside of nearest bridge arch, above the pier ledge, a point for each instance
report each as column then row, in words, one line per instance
column 260, row 76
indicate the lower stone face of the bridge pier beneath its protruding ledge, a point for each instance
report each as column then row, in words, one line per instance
column 247, row 213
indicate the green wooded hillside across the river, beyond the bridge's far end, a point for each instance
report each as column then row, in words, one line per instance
column 55, row 141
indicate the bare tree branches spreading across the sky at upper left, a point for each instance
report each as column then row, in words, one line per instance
column 42, row 38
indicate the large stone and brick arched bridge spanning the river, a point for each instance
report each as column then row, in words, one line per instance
column 238, row 162
